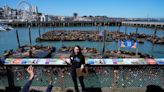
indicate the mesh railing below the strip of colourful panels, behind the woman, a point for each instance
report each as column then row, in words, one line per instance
column 98, row 76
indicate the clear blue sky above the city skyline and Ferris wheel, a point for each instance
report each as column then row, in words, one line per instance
column 111, row 8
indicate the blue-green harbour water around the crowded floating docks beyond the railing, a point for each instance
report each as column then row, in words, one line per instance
column 8, row 39
